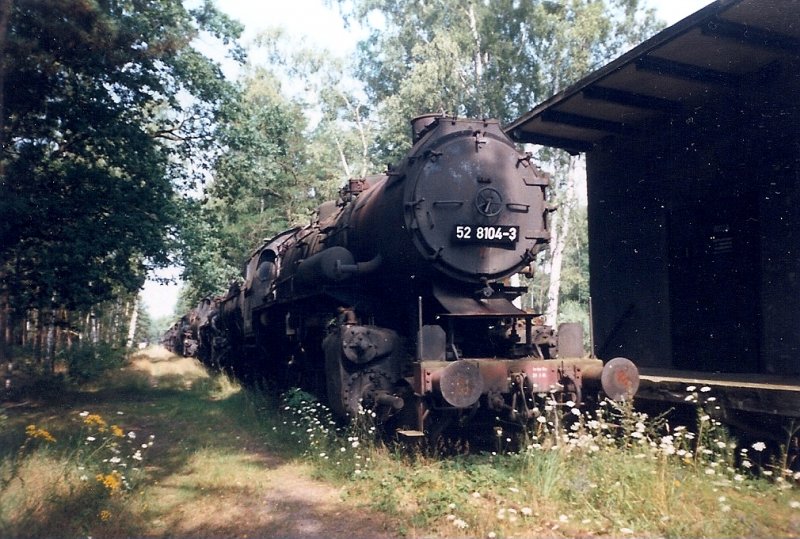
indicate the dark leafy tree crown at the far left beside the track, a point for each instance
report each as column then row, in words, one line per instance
column 109, row 116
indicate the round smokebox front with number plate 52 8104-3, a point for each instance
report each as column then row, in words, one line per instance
column 488, row 219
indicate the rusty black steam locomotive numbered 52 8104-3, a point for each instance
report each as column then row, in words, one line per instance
column 398, row 299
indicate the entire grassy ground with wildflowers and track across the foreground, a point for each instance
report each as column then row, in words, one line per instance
column 229, row 462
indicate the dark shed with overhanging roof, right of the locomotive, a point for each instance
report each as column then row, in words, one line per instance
column 692, row 141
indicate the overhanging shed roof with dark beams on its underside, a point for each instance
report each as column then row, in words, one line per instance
column 708, row 55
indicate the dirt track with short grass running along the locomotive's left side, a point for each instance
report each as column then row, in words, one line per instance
column 209, row 475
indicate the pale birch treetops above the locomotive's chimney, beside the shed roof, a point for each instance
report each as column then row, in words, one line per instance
column 491, row 58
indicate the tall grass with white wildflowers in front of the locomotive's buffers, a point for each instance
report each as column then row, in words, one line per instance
column 613, row 471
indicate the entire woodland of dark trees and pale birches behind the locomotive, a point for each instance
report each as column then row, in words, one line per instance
column 128, row 146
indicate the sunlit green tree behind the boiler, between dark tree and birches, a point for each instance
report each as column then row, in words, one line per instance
column 282, row 157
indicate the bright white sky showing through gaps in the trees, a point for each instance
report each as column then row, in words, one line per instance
column 322, row 26
